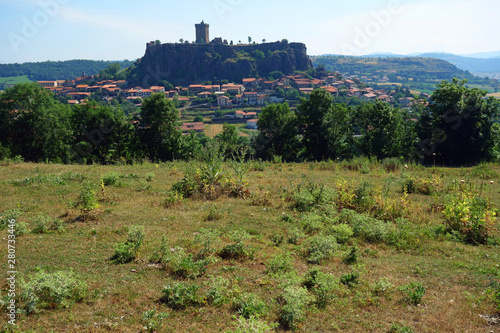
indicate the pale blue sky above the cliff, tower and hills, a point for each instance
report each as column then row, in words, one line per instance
column 41, row 30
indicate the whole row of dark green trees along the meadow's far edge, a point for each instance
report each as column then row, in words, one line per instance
column 458, row 127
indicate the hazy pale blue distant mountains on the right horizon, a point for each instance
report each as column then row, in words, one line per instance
column 482, row 64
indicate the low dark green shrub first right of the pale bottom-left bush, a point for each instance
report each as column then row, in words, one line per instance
column 181, row 295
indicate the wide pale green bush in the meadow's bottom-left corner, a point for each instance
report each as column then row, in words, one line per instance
column 51, row 291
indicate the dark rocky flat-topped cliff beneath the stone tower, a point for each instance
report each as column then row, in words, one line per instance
column 183, row 64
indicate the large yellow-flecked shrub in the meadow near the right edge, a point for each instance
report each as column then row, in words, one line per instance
column 470, row 216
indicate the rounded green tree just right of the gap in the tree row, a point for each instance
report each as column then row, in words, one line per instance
column 278, row 135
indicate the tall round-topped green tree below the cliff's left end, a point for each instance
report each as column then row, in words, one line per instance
column 159, row 133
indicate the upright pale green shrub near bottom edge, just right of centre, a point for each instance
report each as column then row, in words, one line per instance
column 296, row 300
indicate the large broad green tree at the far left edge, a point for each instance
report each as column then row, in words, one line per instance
column 33, row 124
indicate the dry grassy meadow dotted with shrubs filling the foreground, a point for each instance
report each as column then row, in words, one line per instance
column 310, row 247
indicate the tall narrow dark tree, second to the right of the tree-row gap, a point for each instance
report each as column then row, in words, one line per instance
column 312, row 112
